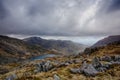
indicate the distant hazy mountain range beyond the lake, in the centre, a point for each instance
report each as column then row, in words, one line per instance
column 62, row 46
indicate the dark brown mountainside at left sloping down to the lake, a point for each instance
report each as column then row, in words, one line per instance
column 12, row 50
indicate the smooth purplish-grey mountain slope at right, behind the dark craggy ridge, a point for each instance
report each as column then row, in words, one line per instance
column 107, row 40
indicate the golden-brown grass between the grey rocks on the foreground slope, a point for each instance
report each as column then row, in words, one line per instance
column 27, row 72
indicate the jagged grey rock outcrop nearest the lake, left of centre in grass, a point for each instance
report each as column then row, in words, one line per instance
column 45, row 66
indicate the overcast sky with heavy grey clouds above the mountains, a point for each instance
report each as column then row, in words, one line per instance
column 81, row 18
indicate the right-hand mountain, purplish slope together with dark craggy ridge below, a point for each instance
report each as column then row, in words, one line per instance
column 109, row 41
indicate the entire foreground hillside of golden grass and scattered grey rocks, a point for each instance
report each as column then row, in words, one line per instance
column 103, row 63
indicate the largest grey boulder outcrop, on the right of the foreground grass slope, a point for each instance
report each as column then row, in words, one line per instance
column 96, row 66
